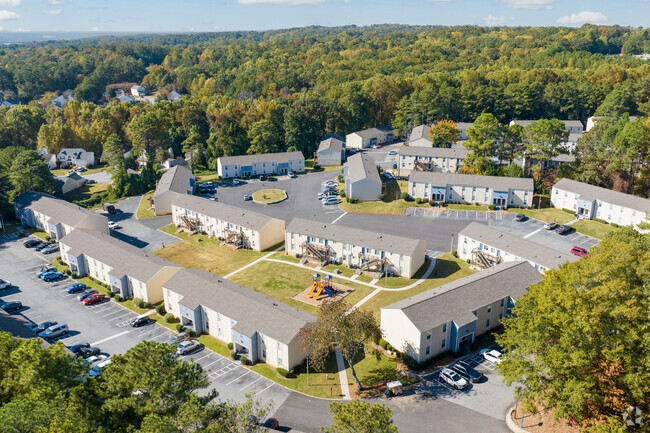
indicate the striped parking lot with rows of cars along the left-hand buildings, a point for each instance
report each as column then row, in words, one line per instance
column 106, row 324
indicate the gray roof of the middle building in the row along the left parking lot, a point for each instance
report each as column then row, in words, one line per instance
column 124, row 258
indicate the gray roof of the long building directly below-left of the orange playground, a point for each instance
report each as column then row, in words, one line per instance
column 251, row 310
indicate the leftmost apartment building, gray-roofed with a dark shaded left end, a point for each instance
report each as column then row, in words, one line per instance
column 56, row 217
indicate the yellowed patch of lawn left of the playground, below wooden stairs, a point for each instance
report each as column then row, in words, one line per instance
column 208, row 254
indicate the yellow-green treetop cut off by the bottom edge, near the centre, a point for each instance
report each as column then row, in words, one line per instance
column 360, row 417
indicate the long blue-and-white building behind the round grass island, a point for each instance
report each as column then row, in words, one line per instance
column 265, row 163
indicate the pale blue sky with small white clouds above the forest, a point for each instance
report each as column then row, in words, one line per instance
column 143, row 16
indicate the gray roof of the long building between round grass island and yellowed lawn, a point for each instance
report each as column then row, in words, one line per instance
column 224, row 212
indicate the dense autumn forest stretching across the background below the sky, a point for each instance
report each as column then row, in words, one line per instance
column 255, row 92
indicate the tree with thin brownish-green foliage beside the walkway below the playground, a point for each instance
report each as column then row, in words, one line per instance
column 338, row 329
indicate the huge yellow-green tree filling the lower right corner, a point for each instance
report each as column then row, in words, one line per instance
column 578, row 342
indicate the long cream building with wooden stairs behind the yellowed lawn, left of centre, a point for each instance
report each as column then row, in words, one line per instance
column 237, row 227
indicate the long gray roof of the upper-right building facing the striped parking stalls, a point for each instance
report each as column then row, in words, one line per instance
column 498, row 183
